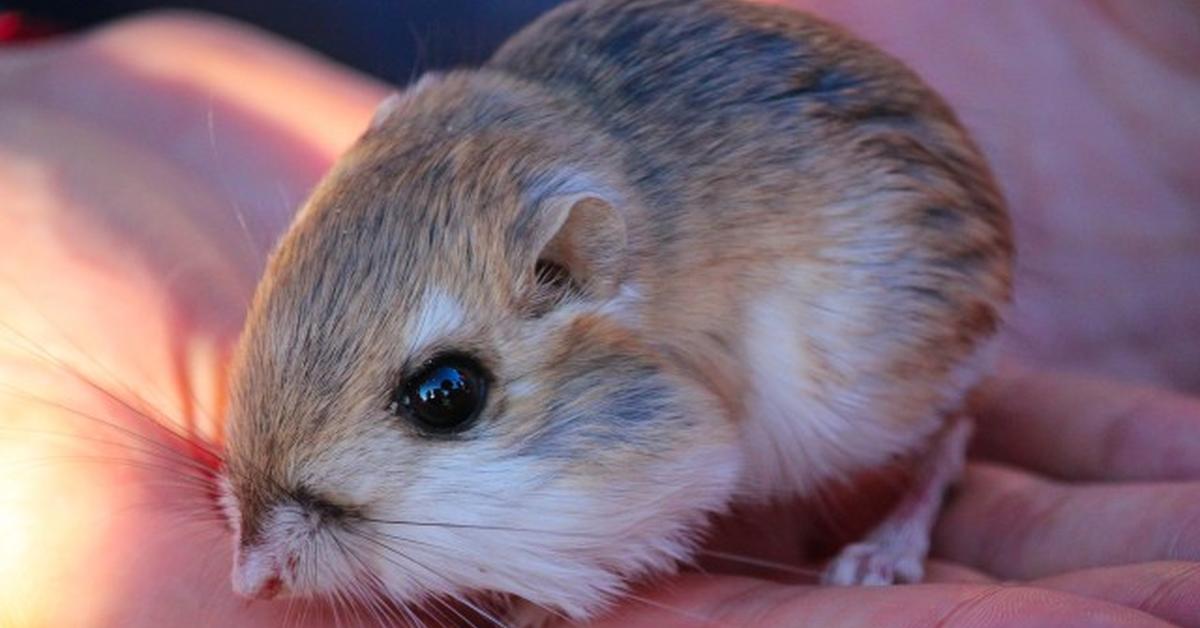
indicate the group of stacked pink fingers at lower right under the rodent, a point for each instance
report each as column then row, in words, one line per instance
column 1079, row 509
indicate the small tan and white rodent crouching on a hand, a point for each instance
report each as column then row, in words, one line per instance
column 548, row 316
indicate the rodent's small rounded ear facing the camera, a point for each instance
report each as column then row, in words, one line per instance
column 581, row 235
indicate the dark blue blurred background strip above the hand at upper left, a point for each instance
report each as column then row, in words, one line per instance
column 394, row 40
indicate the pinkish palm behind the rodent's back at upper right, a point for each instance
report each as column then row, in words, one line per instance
column 1090, row 116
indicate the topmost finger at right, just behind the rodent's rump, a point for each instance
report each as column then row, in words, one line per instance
column 1078, row 428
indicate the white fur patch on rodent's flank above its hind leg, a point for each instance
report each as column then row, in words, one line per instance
column 814, row 412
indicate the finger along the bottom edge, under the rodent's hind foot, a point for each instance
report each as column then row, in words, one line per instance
column 699, row 601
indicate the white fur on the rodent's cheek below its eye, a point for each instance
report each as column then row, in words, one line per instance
column 514, row 528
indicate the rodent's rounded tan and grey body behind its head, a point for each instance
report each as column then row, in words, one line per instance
column 820, row 244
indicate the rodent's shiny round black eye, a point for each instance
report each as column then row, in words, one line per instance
column 445, row 397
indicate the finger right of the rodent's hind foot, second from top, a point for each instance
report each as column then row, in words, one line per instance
column 1015, row 525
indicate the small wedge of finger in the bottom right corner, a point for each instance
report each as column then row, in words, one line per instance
column 1166, row 590
